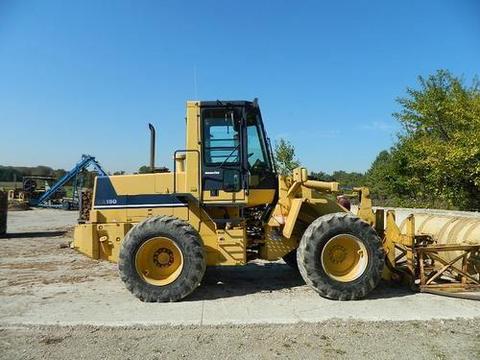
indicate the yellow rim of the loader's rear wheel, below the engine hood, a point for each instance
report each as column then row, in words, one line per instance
column 159, row 261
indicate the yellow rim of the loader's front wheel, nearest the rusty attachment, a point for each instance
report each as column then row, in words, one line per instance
column 344, row 258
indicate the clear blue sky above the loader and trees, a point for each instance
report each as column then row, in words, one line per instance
column 87, row 76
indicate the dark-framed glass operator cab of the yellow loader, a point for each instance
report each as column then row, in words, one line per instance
column 237, row 161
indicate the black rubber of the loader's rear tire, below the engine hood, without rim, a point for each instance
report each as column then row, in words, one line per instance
column 188, row 242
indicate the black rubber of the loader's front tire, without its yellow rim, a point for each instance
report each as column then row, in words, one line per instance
column 314, row 240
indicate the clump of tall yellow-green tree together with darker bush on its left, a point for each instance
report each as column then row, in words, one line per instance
column 436, row 160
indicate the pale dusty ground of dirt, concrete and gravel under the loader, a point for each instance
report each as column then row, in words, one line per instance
column 55, row 302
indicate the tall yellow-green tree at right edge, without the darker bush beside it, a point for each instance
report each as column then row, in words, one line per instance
column 441, row 123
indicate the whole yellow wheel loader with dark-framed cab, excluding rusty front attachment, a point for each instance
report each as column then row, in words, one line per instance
column 225, row 204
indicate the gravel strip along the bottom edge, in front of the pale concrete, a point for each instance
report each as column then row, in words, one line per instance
column 331, row 339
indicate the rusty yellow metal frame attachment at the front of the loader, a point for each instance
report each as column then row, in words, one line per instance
column 429, row 263
